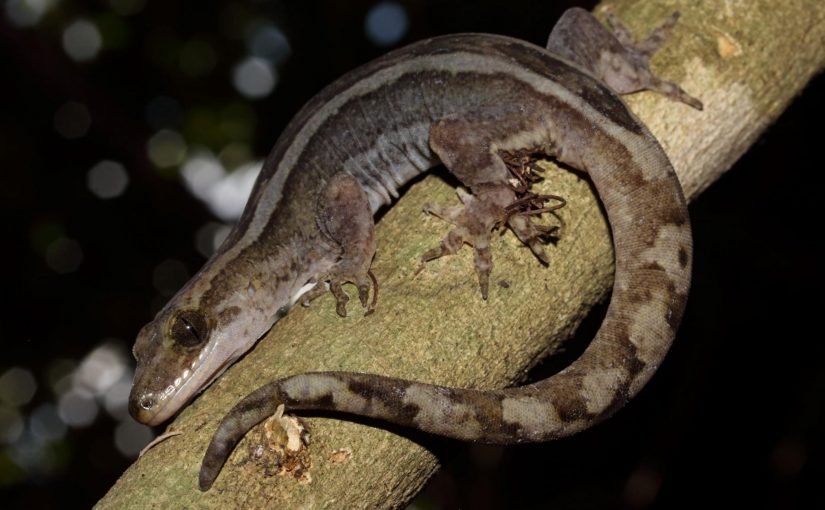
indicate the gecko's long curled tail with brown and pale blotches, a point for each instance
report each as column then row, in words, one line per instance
column 653, row 248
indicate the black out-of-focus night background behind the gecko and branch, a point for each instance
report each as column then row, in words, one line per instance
column 734, row 417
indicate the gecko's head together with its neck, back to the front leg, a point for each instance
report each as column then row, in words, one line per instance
column 211, row 322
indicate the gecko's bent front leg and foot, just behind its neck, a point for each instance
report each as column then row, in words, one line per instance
column 344, row 216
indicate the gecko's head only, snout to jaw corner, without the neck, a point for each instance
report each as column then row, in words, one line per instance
column 181, row 352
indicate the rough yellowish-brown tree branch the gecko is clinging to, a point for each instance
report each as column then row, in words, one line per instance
column 745, row 61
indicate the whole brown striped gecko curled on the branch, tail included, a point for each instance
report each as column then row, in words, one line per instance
column 471, row 102
